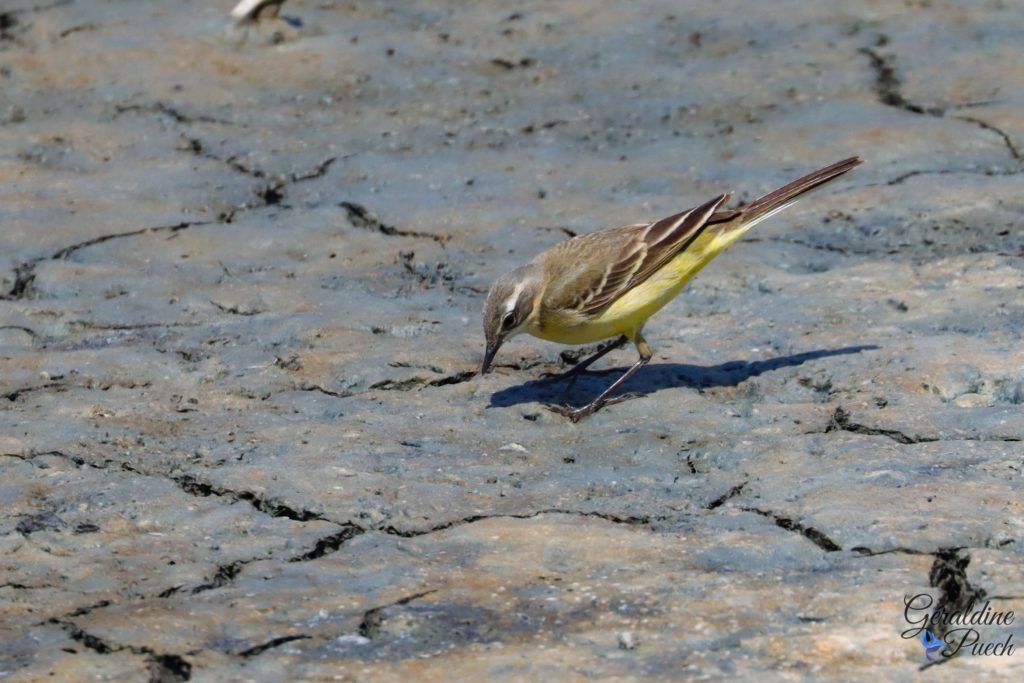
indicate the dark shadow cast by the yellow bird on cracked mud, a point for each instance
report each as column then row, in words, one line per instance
column 654, row 378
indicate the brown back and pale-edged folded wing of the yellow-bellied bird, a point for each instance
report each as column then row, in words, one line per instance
column 588, row 274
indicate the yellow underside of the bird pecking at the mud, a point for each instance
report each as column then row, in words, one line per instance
column 629, row 313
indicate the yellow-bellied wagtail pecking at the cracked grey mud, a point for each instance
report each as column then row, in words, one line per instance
column 606, row 285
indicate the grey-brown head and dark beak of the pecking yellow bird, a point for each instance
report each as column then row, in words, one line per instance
column 509, row 307
